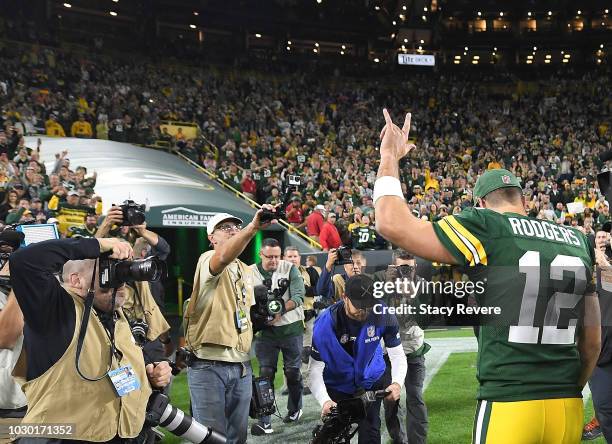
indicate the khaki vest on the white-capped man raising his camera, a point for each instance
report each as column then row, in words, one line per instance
column 215, row 324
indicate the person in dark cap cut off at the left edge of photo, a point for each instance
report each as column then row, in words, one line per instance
column 12, row 399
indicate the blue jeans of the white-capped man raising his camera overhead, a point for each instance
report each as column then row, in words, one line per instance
column 221, row 396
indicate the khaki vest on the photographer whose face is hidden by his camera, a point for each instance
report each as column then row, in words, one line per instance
column 149, row 311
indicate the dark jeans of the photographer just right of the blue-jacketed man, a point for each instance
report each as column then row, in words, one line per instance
column 416, row 410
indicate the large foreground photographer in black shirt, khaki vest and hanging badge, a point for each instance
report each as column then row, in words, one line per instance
column 111, row 407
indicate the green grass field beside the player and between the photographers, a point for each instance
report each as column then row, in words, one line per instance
column 450, row 397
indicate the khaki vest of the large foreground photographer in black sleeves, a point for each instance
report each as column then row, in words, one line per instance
column 60, row 395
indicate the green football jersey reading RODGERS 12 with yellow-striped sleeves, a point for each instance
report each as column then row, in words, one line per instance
column 537, row 273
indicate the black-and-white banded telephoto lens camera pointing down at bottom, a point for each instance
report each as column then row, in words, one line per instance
column 177, row 422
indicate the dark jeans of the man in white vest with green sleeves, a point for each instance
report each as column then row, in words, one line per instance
column 267, row 351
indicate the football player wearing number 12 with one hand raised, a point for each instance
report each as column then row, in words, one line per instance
column 534, row 362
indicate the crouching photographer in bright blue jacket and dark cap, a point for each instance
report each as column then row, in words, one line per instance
column 347, row 354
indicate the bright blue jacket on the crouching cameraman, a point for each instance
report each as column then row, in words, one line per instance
column 343, row 372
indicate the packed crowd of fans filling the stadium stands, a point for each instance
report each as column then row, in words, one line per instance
column 267, row 126
